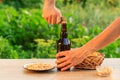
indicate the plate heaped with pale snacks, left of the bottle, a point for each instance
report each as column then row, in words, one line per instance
column 38, row 66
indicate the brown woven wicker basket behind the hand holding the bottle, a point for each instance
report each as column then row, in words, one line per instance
column 93, row 60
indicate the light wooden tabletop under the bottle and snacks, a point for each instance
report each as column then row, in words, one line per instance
column 12, row 69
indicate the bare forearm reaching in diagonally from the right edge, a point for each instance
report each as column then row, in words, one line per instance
column 110, row 34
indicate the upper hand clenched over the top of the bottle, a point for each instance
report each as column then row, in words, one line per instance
column 51, row 14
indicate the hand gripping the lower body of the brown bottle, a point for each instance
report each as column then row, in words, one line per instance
column 71, row 58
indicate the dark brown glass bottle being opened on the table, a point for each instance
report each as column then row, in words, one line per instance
column 63, row 43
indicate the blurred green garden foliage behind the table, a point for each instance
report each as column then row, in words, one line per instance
column 25, row 34
